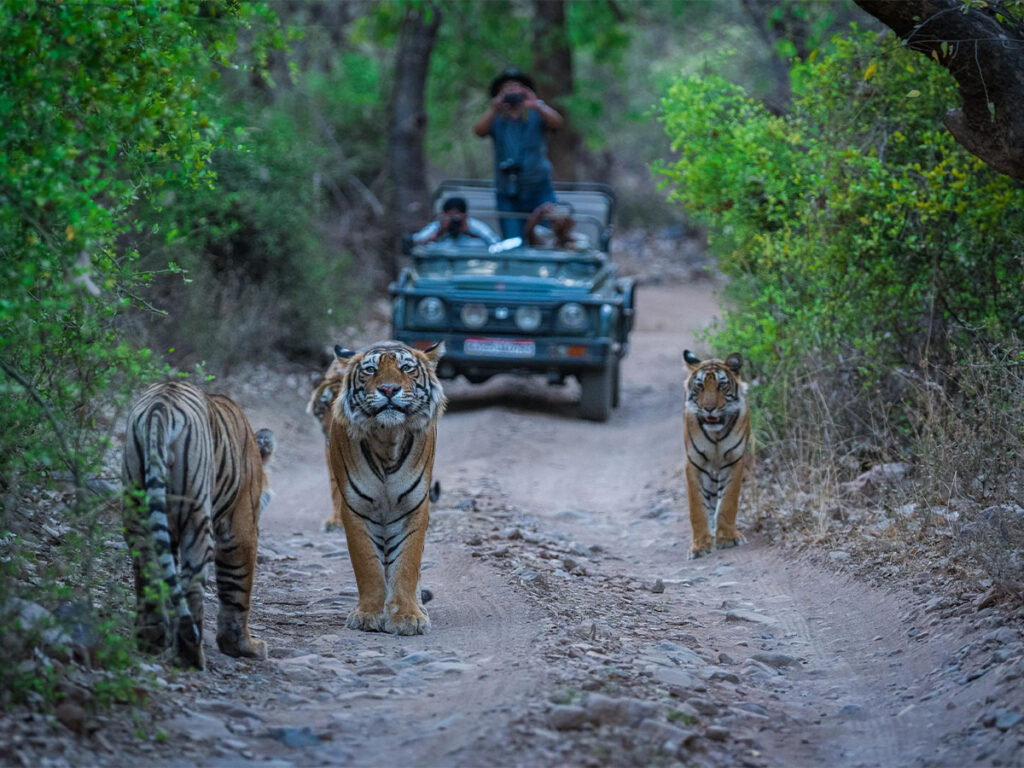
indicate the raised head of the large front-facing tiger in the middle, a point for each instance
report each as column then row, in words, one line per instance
column 390, row 387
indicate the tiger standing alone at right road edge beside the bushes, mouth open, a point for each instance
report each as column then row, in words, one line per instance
column 717, row 432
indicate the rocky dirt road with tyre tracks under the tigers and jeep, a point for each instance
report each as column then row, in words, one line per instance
column 569, row 627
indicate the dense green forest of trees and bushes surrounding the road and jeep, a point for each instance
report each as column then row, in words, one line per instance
column 190, row 187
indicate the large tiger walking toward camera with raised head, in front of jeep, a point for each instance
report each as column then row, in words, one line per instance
column 381, row 455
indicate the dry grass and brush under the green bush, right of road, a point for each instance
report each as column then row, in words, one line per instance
column 955, row 503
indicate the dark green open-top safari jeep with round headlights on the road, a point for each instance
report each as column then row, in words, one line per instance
column 514, row 309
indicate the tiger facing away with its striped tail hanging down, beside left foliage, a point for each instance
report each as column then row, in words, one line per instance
column 196, row 485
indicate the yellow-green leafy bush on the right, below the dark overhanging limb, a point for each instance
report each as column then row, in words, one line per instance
column 857, row 233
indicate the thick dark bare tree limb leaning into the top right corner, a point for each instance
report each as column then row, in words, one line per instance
column 984, row 49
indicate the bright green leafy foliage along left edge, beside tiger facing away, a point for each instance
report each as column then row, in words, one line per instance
column 103, row 106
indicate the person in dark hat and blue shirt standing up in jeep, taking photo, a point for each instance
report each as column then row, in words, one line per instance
column 519, row 122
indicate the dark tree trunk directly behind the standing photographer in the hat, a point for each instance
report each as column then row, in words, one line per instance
column 553, row 73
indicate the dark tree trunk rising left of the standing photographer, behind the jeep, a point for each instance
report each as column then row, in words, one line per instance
column 408, row 125
